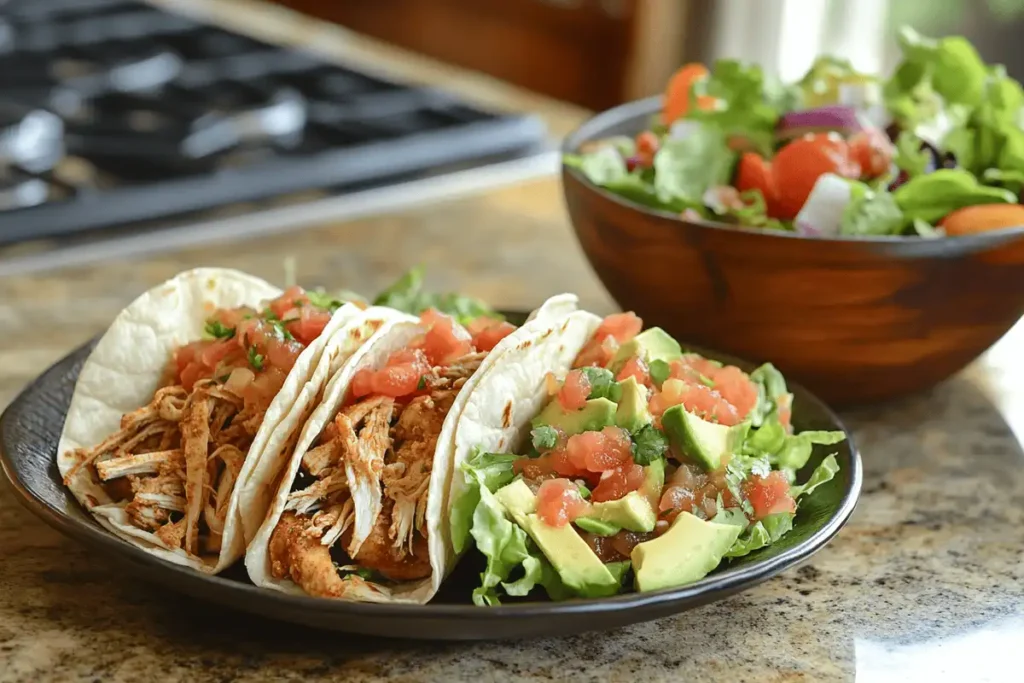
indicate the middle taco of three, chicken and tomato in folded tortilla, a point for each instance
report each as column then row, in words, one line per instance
column 361, row 514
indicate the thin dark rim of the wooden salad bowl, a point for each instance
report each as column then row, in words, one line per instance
column 592, row 129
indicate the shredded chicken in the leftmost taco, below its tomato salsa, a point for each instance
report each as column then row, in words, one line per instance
column 175, row 463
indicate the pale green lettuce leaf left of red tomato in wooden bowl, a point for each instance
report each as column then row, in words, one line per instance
column 686, row 168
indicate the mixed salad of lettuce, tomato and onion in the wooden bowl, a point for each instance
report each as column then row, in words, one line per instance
column 934, row 150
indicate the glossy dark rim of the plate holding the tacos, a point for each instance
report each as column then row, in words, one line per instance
column 219, row 589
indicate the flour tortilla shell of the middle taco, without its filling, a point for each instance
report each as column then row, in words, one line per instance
column 374, row 355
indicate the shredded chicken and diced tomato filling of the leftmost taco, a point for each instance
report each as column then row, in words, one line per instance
column 175, row 463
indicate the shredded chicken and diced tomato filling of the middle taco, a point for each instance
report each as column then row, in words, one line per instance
column 358, row 506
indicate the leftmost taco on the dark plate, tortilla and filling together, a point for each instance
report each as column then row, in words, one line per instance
column 199, row 386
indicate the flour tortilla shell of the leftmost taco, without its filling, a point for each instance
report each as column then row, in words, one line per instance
column 125, row 370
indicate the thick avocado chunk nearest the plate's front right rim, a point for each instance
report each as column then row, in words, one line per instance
column 682, row 556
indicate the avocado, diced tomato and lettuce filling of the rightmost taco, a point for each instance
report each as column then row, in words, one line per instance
column 647, row 461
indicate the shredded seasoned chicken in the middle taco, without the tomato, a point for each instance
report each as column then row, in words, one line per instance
column 380, row 452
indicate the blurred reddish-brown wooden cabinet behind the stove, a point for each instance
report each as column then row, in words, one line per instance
column 593, row 53
